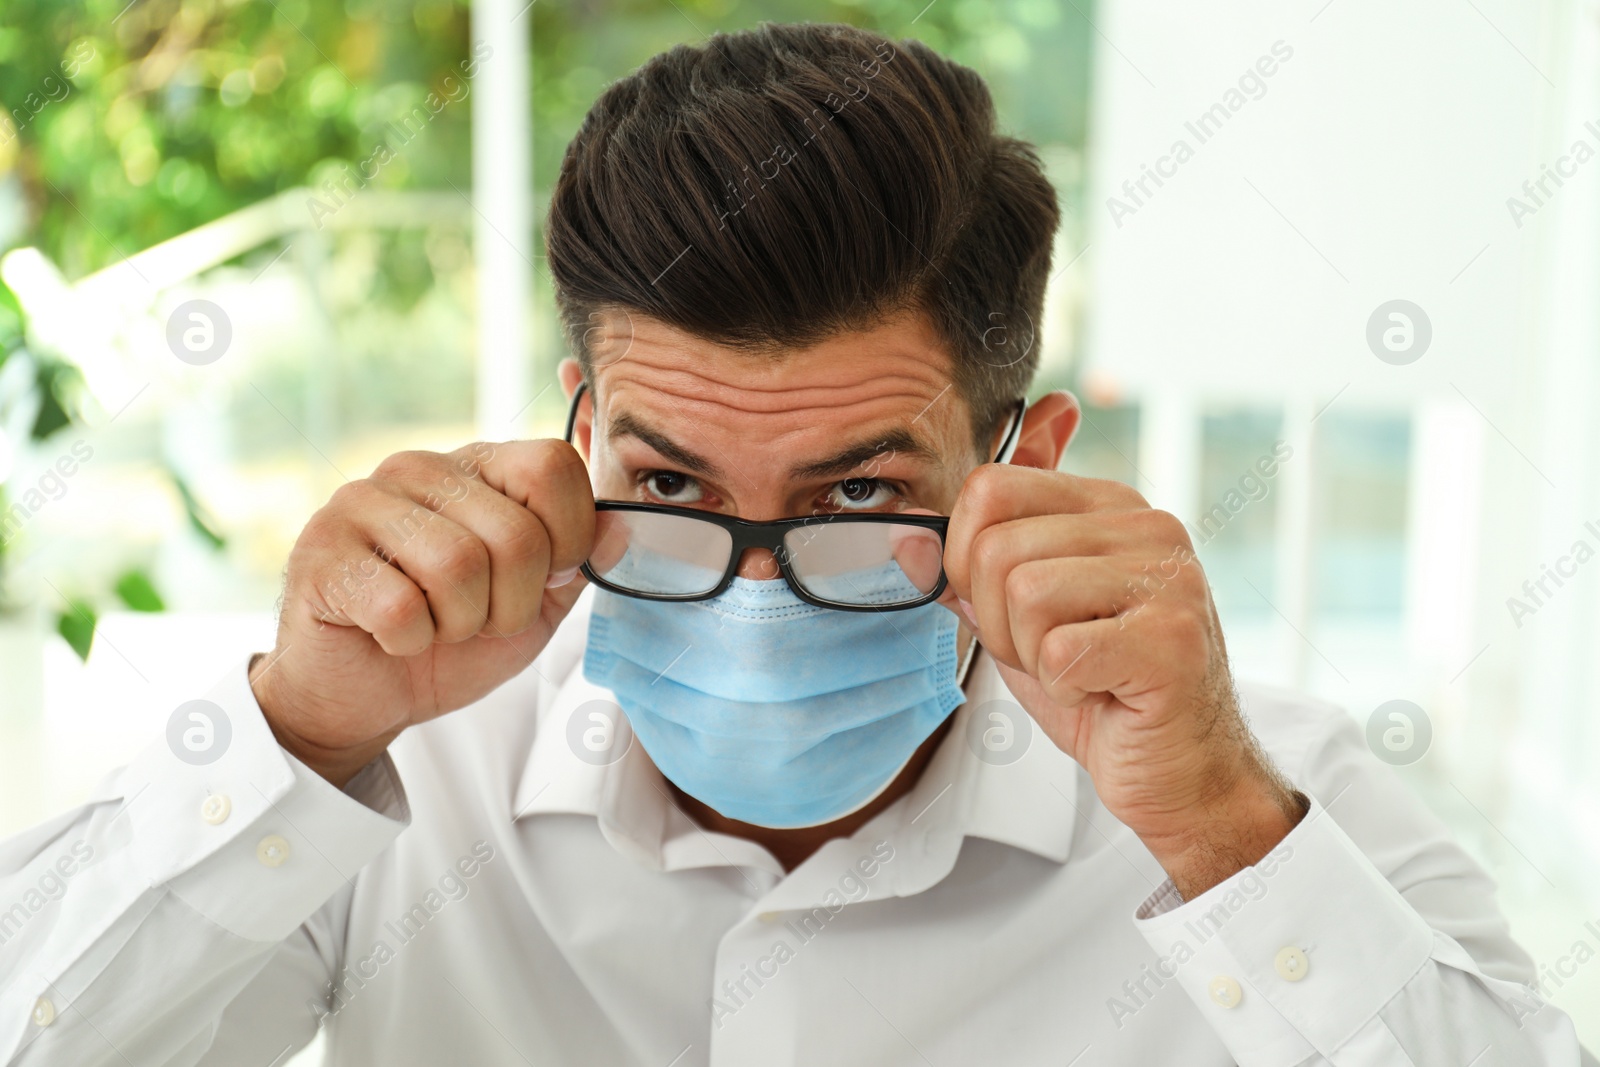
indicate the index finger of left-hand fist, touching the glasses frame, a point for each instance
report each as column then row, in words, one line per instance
column 551, row 481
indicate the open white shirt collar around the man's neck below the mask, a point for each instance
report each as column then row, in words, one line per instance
column 1026, row 804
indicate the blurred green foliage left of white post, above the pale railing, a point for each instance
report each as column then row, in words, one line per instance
column 129, row 124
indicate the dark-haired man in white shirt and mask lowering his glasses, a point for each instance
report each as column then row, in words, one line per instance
column 767, row 794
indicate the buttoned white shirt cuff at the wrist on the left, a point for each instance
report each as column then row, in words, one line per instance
column 242, row 831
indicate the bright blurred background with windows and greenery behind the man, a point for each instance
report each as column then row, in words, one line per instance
column 1346, row 242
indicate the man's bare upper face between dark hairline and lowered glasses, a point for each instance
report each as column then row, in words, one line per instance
column 862, row 423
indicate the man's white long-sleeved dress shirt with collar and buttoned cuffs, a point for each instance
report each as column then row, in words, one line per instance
column 495, row 893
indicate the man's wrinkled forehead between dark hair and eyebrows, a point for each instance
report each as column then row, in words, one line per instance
column 895, row 375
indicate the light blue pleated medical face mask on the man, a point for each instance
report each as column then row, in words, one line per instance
column 772, row 711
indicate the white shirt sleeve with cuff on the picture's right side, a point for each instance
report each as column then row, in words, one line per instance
column 1366, row 938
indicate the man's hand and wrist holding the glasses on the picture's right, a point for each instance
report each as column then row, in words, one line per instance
column 1103, row 625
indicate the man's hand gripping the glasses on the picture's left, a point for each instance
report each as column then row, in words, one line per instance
column 418, row 591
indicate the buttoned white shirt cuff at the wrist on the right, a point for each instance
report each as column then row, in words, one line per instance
column 1295, row 954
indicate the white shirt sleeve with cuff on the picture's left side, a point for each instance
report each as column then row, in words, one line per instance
column 135, row 922
